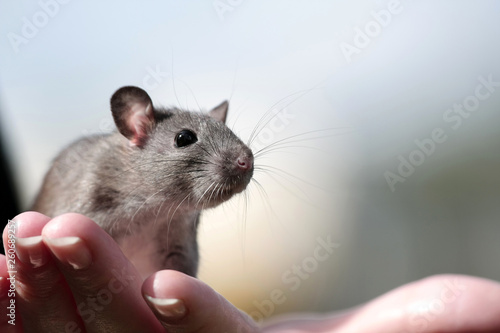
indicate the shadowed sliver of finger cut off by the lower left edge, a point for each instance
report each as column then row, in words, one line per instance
column 8, row 322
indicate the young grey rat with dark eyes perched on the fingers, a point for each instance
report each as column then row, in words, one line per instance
column 147, row 182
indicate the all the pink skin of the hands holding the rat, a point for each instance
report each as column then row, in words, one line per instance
column 69, row 263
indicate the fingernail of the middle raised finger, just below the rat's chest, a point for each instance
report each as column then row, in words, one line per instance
column 70, row 250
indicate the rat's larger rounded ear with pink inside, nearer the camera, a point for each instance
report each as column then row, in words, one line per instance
column 132, row 111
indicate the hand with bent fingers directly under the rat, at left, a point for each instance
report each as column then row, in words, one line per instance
column 72, row 277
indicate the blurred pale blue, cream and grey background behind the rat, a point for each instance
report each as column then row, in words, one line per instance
column 385, row 117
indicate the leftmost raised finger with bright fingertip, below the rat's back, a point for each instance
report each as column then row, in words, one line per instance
column 42, row 296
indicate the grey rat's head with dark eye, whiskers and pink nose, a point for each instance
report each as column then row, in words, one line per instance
column 189, row 157
